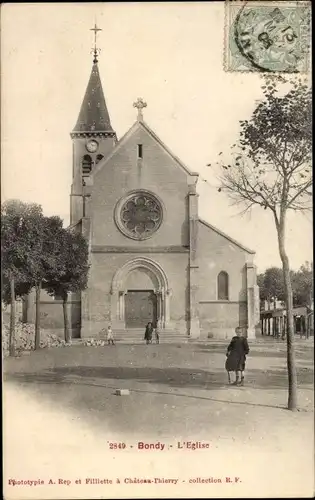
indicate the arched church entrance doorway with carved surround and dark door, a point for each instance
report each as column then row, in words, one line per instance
column 140, row 293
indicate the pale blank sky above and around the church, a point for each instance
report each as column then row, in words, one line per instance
column 171, row 55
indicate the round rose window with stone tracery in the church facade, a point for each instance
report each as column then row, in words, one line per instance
column 140, row 216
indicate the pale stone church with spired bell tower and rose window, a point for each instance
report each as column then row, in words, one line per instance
column 152, row 258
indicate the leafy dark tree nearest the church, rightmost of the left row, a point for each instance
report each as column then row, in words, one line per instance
column 69, row 270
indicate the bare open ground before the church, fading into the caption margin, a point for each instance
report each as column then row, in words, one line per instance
column 172, row 390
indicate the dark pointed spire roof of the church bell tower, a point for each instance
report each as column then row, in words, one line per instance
column 94, row 116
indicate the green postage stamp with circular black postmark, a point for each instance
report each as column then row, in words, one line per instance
column 267, row 36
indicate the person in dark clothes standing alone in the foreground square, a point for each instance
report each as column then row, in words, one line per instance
column 236, row 357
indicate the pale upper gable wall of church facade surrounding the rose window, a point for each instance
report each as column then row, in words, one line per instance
column 158, row 173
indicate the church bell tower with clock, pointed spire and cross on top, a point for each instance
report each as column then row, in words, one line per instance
column 92, row 137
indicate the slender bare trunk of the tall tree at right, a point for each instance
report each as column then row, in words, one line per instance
column 292, row 377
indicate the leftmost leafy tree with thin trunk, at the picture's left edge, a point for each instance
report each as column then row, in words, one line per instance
column 19, row 223
